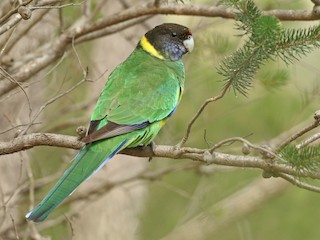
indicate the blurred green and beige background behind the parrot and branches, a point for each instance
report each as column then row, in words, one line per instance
column 211, row 202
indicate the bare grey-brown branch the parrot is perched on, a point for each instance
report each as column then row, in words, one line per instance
column 201, row 155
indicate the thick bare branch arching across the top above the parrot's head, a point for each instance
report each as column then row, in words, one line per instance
column 55, row 49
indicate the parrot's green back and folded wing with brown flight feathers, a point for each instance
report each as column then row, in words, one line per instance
column 140, row 91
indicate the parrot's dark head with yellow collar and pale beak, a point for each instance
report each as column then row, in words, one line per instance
column 168, row 41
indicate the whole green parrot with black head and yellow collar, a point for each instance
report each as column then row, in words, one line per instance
column 138, row 98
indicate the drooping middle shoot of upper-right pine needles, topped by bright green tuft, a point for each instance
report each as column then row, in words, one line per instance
column 241, row 67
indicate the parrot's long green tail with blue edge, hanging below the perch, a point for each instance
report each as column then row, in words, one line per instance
column 86, row 163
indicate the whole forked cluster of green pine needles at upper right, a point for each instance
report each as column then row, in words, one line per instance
column 266, row 41
